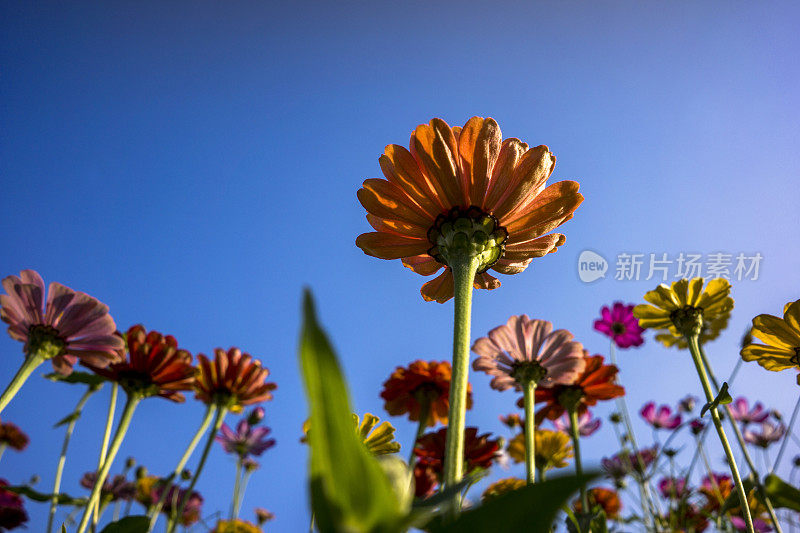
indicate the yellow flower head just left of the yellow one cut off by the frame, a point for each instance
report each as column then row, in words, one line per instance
column 685, row 306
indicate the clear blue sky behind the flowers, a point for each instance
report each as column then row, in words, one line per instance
column 195, row 165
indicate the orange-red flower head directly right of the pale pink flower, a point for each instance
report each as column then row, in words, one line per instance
column 597, row 382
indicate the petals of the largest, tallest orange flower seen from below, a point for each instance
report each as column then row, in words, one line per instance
column 465, row 173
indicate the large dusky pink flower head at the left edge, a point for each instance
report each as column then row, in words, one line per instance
column 71, row 324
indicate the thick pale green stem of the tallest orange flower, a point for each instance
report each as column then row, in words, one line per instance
column 464, row 271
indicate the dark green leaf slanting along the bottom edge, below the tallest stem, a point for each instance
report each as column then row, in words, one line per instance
column 531, row 509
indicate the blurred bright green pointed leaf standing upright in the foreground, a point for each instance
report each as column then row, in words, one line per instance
column 349, row 490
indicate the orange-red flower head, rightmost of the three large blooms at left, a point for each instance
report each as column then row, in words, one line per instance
column 233, row 379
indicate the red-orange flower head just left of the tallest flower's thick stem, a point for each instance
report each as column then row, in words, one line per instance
column 407, row 388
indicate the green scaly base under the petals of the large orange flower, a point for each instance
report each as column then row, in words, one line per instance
column 469, row 232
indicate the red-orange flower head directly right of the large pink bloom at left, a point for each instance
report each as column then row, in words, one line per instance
column 154, row 366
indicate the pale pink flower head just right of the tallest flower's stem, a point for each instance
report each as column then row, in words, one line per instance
column 525, row 349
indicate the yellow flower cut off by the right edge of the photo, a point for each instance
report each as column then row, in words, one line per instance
column 781, row 338
